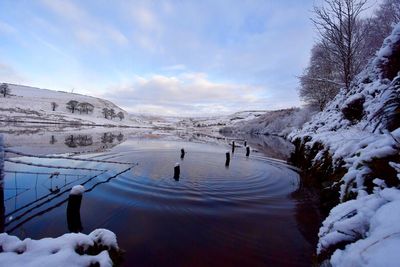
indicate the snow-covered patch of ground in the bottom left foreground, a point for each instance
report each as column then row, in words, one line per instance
column 60, row 251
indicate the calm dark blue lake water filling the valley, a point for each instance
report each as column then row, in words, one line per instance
column 247, row 214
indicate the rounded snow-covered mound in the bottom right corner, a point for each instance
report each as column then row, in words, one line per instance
column 369, row 224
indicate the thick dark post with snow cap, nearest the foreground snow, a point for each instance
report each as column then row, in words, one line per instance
column 73, row 209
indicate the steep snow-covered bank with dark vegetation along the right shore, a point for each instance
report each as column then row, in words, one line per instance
column 368, row 224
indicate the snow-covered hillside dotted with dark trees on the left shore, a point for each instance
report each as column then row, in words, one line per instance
column 30, row 104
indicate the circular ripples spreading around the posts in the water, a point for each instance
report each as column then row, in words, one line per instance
column 206, row 185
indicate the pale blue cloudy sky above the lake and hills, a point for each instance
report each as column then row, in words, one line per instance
column 171, row 57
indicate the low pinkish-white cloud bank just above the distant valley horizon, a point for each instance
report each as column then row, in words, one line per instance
column 185, row 94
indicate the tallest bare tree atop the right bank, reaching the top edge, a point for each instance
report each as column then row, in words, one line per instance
column 339, row 25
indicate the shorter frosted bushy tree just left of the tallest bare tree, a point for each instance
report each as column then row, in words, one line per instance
column 319, row 83
